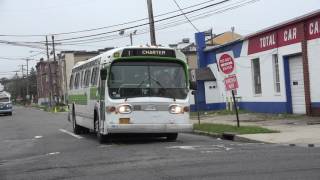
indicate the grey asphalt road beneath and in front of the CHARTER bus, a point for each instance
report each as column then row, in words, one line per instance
column 37, row 145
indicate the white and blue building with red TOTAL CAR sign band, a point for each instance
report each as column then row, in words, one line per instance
column 277, row 69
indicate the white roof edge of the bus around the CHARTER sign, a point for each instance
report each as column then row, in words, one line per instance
column 154, row 51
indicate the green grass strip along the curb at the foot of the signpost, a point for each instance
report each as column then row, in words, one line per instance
column 221, row 128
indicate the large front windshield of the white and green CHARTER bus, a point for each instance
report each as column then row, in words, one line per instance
column 147, row 79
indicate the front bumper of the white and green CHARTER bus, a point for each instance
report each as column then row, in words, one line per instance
column 149, row 128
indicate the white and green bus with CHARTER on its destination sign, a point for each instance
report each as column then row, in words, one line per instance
column 131, row 90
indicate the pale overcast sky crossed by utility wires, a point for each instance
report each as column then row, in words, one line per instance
column 42, row 17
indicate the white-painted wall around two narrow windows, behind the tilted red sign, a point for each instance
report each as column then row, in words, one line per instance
column 245, row 77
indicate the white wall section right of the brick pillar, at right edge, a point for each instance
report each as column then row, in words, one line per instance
column 314, row 68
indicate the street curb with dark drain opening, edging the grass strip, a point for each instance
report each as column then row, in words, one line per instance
column 233, row 136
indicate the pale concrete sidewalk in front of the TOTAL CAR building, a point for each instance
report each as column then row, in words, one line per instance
column 297, row 130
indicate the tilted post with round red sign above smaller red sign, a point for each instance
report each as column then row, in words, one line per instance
column 227, row 69
